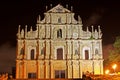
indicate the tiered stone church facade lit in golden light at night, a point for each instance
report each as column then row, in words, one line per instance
column 58, row 48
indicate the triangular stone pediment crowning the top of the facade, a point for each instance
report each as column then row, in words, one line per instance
column 59, row 8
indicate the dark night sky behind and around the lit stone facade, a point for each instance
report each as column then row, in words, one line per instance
column 25, row 12
